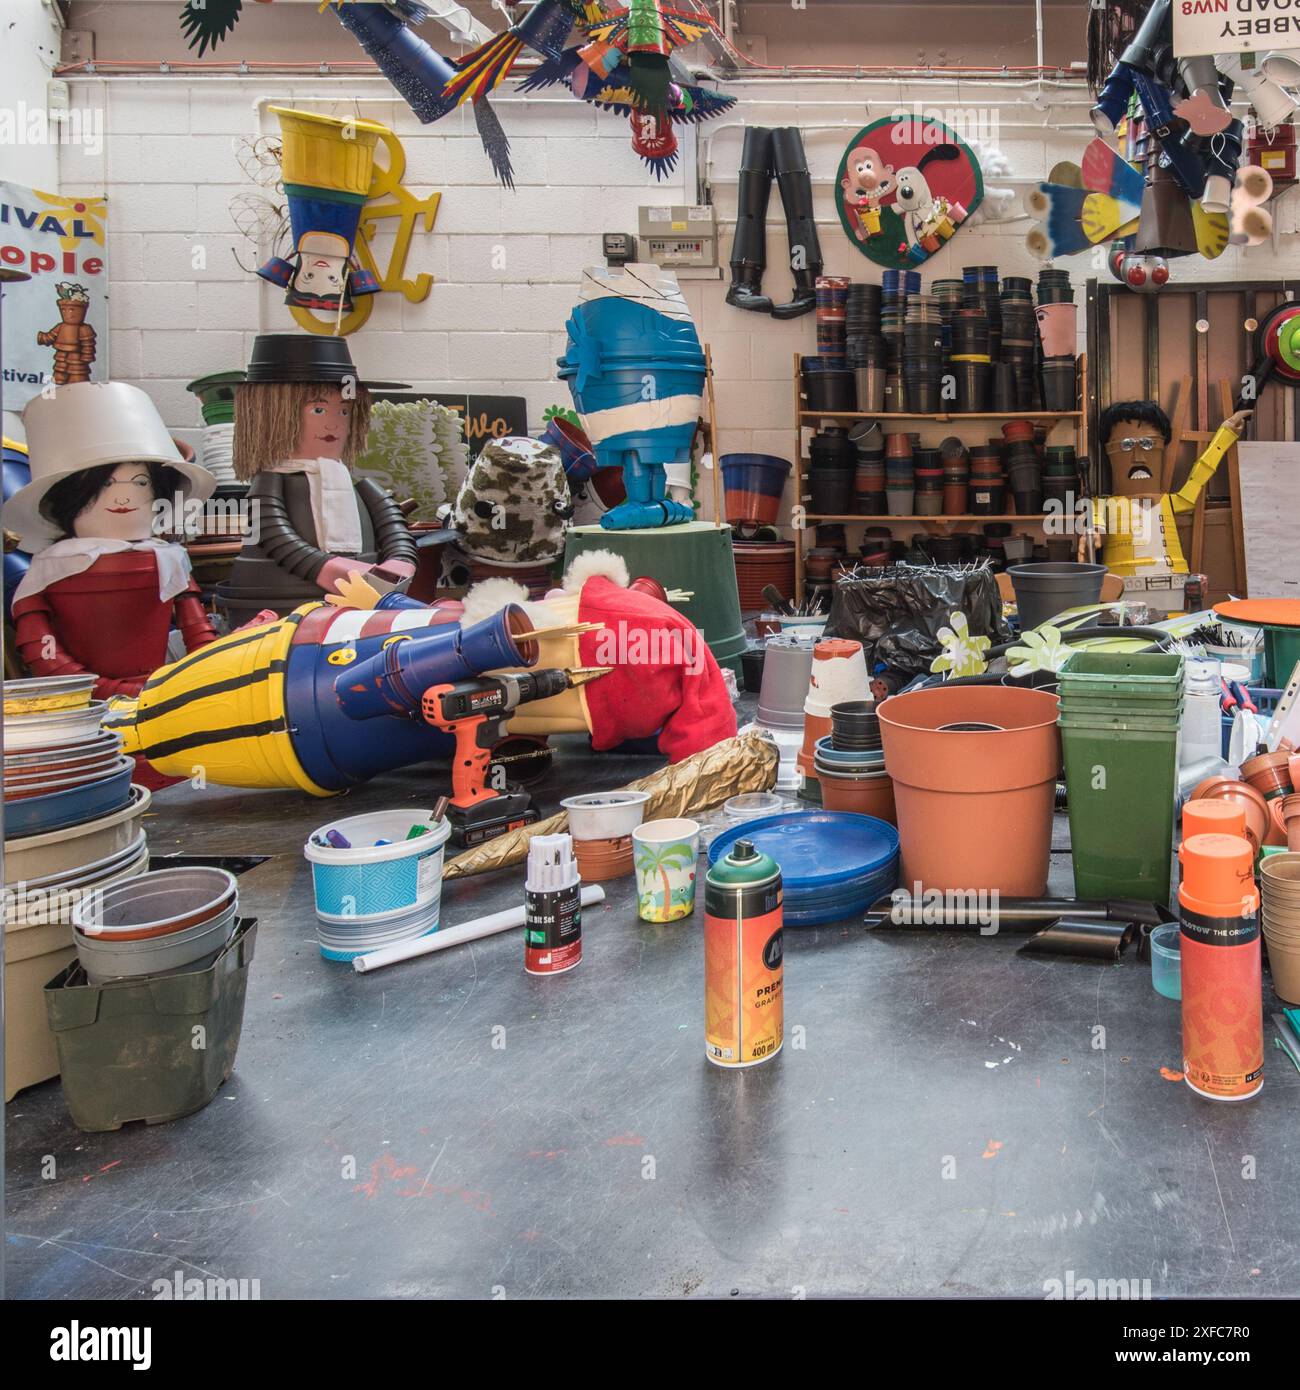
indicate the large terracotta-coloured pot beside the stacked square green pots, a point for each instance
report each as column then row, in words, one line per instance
column 974, row 807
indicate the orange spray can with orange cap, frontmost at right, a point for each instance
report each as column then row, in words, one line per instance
column 1221, row 976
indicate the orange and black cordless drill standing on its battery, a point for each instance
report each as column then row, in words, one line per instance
column 478, row 712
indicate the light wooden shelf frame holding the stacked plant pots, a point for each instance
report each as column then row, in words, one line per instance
column 809, row 420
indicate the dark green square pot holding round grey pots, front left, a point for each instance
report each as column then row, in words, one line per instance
column 154, row 1049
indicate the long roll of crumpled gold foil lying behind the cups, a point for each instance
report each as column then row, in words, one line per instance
column 738, row 765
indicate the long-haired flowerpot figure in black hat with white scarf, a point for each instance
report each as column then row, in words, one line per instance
column 301, row 419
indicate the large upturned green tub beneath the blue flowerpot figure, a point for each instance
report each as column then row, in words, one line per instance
column 697, row 558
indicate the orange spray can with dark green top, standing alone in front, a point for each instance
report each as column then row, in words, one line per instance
column 743, row 976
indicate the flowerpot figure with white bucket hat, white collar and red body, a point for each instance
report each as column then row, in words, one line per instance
column 105, row 589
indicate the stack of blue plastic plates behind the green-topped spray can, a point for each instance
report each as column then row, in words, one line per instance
column 817, row 849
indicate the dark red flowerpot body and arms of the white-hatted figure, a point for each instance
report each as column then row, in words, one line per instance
column 108, row 621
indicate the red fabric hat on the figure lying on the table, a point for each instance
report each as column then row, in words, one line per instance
column 665, row 679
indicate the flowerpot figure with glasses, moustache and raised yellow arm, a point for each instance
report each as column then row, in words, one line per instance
column 1137, row 522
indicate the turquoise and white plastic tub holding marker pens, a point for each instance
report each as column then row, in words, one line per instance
column 368, row 892
